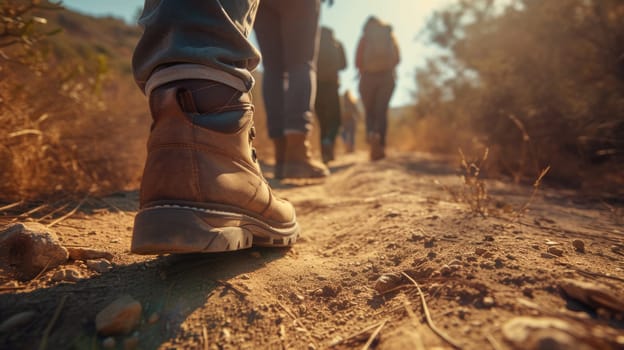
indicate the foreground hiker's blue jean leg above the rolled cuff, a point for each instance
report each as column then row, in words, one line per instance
column 205, row 32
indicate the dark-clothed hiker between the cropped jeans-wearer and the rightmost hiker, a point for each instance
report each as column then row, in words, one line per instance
column 331, row 60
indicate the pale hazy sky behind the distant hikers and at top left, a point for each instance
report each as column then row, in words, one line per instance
column 346, row 17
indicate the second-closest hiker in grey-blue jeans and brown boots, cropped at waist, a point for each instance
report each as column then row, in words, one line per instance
column 287, row 33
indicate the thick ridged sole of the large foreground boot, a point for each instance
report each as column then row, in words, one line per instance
column 176, row 229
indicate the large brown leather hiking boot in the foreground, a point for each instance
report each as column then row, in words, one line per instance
column 202, row 189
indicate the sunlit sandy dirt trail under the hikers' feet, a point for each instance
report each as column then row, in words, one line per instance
column 368, row 219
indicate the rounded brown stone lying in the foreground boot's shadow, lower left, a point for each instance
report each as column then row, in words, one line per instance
column 119, row 317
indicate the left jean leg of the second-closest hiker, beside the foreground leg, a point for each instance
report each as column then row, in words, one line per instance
column 268, row 30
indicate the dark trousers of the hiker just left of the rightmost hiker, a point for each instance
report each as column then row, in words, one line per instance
column 328, row 111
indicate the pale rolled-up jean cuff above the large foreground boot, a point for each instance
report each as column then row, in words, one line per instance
column 194, row 71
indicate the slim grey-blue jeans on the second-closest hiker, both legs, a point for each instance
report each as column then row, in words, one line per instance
column 287, row 32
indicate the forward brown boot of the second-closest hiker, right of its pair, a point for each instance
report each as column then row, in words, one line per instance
column 298, row 162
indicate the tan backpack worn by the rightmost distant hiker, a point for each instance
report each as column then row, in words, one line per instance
column 379, row 51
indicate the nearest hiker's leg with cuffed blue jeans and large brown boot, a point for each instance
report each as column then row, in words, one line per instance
column 202, row 189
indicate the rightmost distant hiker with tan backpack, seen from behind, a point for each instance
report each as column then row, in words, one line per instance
column 376, row 59
